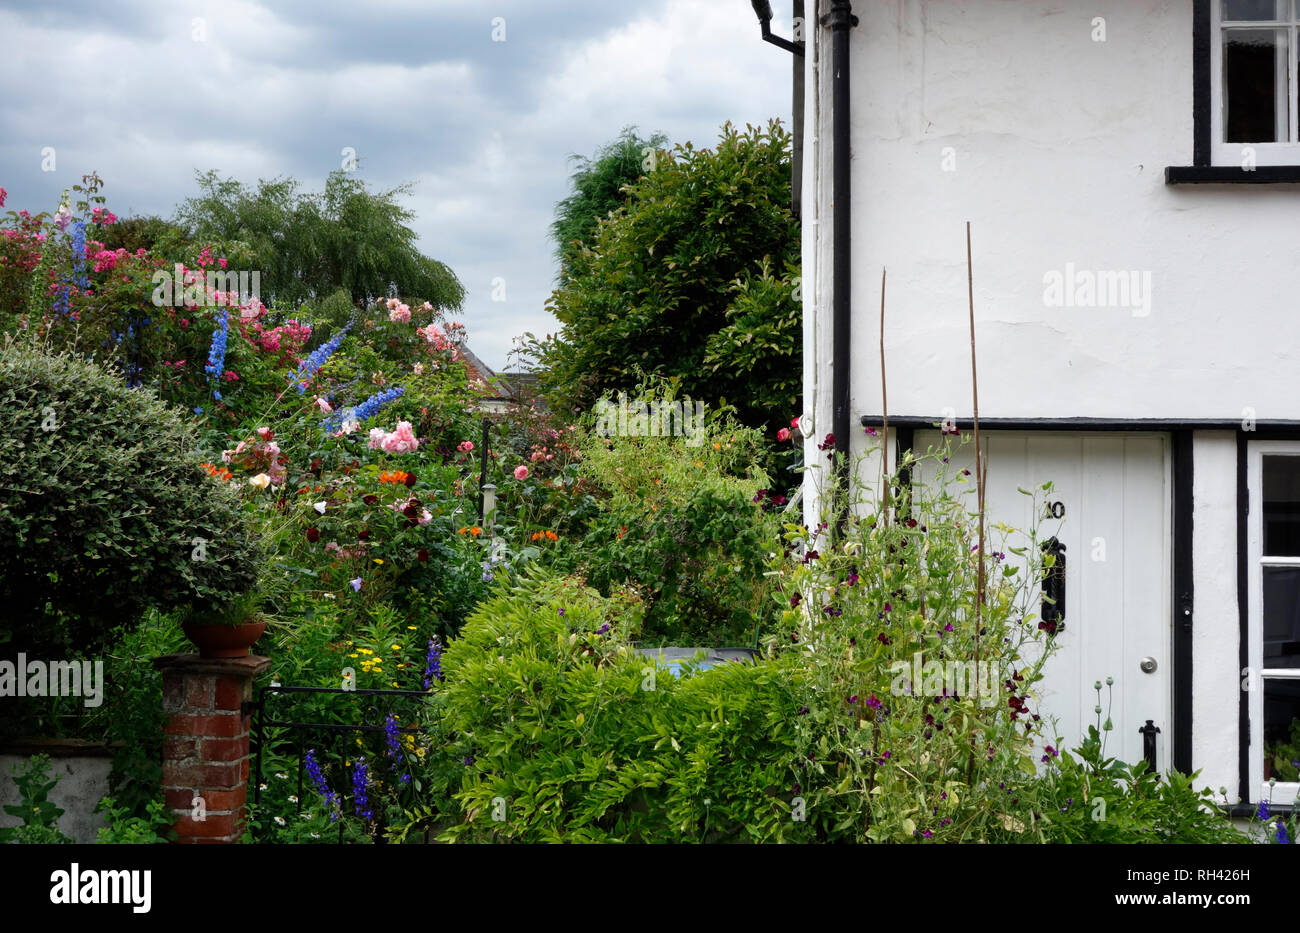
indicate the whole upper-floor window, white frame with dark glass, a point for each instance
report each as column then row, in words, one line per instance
column 1254, row 73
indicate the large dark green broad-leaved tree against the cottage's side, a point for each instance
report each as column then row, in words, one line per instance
column 692, row 279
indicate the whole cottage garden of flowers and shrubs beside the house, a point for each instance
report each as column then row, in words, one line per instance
column 488, row 593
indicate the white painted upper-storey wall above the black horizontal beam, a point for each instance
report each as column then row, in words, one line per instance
column 1060, row 147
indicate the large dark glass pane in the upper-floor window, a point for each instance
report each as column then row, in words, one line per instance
column 1255, row 93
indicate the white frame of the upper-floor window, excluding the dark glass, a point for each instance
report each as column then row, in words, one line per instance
column 1289, row 110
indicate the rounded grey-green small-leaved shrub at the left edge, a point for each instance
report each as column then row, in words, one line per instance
column 106, row 510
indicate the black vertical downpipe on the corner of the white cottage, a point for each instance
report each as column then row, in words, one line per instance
column 840, row 20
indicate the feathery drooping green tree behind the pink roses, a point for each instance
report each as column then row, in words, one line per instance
column 309, row 245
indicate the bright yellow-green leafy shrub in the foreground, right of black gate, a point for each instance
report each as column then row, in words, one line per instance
column 557, row 731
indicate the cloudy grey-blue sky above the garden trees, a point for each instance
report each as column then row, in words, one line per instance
column 150, row 92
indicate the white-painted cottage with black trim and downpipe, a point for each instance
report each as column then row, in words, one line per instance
column 1132, row 173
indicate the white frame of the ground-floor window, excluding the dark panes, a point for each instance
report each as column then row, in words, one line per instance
column 1284, row 792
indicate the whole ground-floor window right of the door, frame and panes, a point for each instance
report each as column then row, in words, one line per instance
column 1275, row 622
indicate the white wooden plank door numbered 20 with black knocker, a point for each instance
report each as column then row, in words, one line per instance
column 1113, row 496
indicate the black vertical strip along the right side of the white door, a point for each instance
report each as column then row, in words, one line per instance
column 1184, row 587
